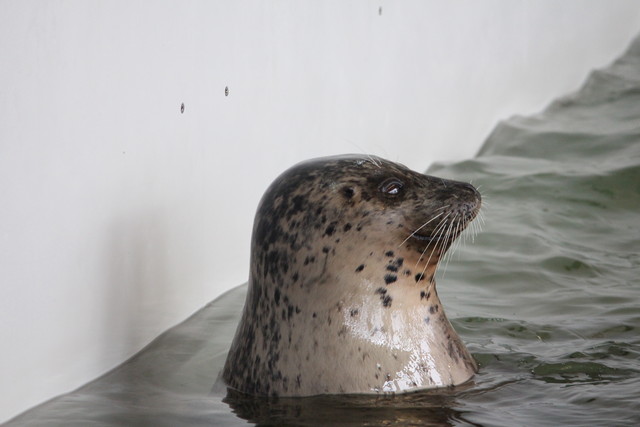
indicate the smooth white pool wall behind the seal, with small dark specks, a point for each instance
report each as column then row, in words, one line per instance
column 120, row 216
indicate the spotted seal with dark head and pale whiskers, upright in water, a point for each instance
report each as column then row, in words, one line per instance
column 342, row 296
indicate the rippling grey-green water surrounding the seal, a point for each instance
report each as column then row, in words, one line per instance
column 547, row 298
